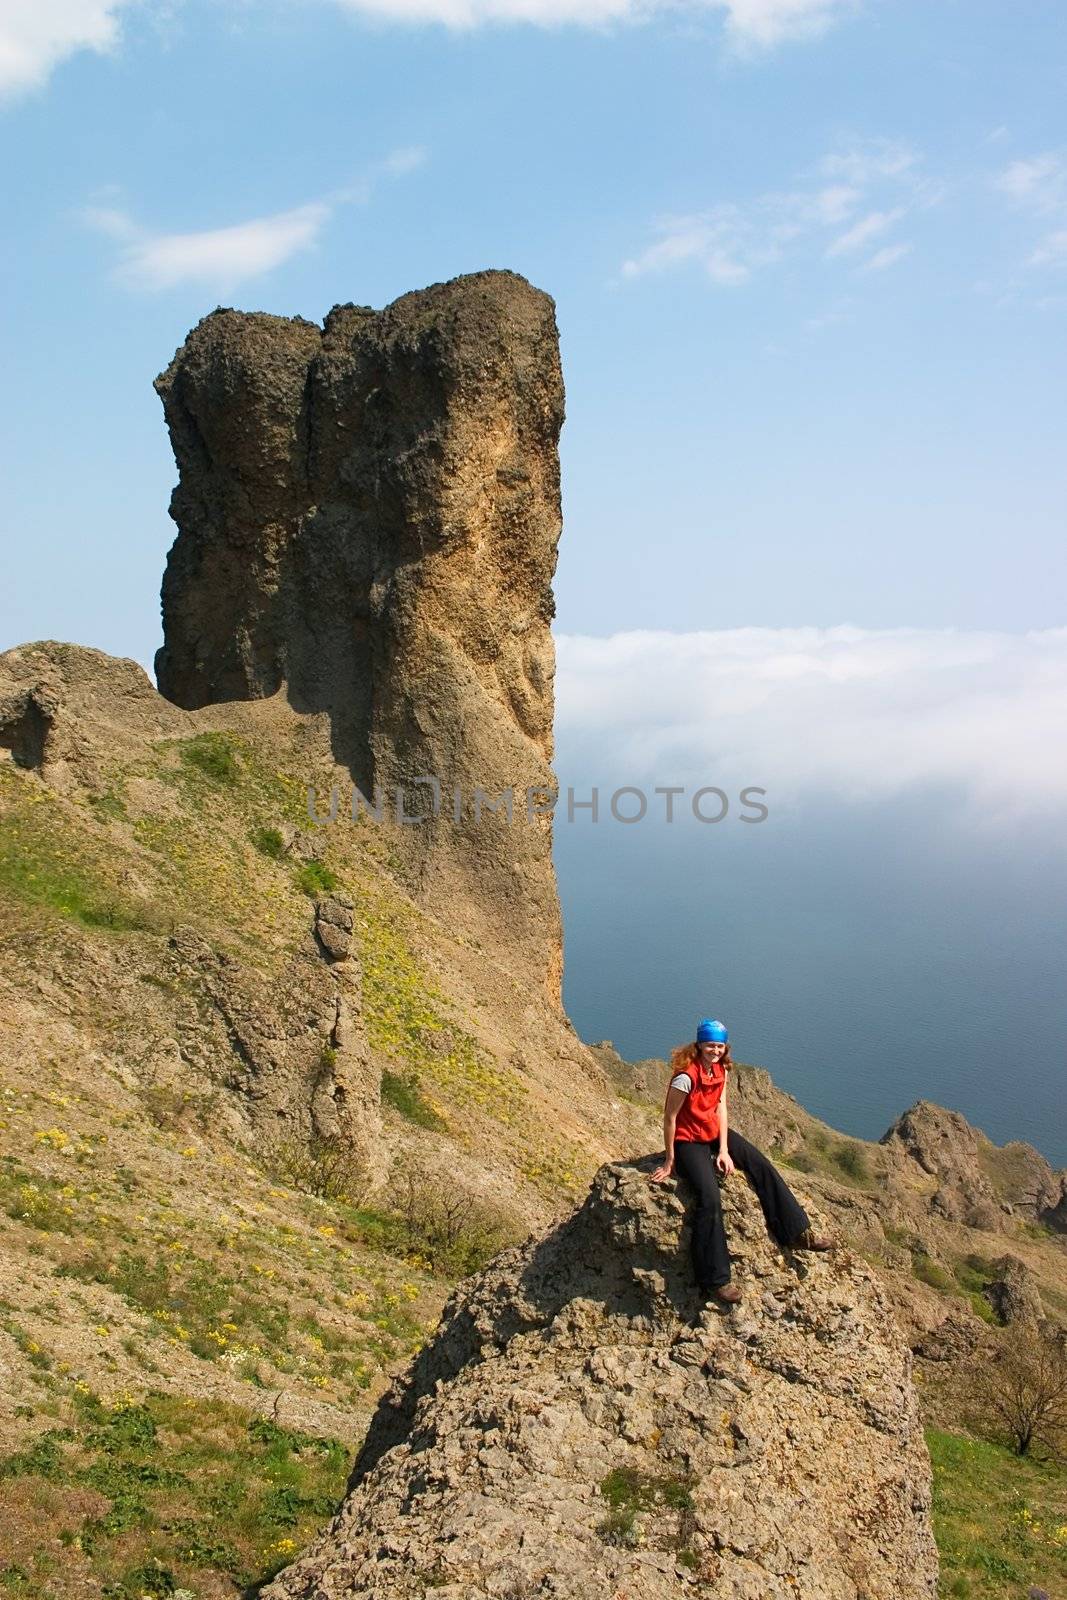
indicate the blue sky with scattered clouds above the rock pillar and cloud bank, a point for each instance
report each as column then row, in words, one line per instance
column 810, row 263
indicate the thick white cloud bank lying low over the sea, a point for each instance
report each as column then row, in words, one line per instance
column 845, row 713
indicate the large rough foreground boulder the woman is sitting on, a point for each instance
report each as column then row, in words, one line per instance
column 581, row 1426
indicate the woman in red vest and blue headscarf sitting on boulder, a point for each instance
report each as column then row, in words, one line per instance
column 698, row 1142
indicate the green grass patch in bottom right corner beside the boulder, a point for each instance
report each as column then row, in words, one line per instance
column 1001, row 1521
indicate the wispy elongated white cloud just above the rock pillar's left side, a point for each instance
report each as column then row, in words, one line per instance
column 226, row 257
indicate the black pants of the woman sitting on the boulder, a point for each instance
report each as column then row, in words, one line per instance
column 786, row 1218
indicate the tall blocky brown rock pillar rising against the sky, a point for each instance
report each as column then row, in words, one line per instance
column 369, row 518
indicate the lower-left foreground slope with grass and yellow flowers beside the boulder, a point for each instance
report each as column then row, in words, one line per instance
column 191, row 1348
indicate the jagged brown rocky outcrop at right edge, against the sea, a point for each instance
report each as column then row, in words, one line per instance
column 978, row 1183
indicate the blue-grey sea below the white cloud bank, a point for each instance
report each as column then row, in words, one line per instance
column 868, row 954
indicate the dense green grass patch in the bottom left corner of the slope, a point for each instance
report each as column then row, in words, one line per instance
column 153, row 1495
